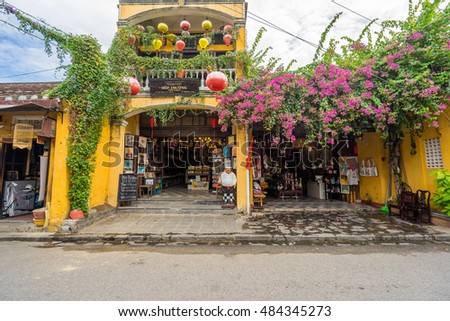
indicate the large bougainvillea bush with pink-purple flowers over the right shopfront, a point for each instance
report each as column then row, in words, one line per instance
column 397, row 85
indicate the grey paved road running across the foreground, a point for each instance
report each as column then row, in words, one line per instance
column 34, row 271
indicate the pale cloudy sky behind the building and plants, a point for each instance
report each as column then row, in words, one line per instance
column 24, row 55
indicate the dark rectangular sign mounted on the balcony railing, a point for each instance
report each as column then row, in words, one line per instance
column 174, row 87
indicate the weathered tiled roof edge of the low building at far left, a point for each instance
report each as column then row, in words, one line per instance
column 26, row 96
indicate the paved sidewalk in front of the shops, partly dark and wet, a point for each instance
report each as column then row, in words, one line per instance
column 312, row 223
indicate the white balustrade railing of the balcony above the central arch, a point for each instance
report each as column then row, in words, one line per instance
column 144, row 78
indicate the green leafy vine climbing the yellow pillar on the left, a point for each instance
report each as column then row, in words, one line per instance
column 91, row 93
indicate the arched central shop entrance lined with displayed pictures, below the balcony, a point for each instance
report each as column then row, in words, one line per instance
column 181, row 160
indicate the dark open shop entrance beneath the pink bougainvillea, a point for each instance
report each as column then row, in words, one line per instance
column 295, row 170
